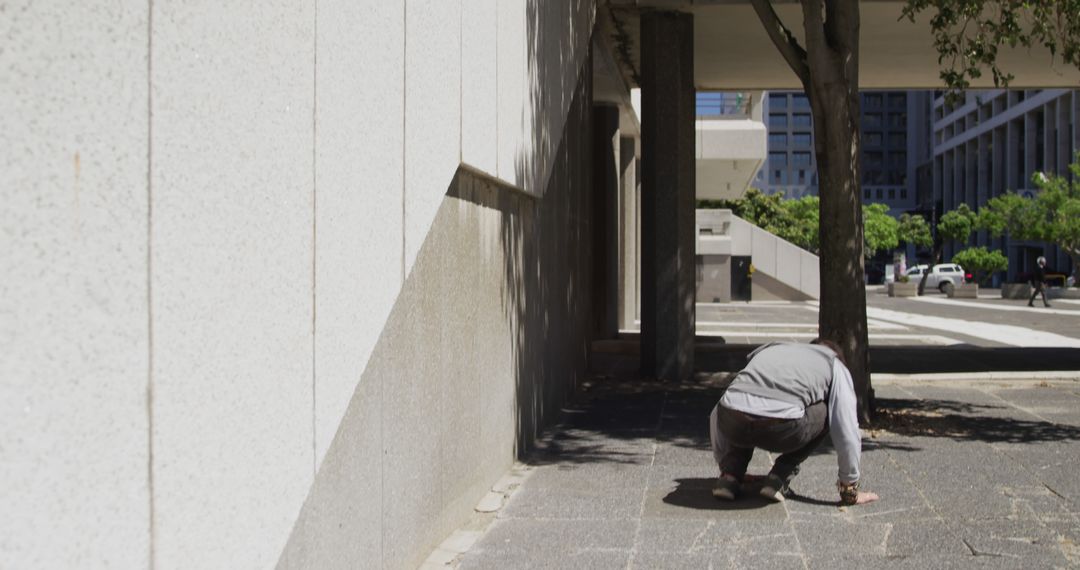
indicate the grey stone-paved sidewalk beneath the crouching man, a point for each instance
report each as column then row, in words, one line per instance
column 971, row 476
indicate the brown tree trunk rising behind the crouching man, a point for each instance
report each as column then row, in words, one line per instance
column 833, row 90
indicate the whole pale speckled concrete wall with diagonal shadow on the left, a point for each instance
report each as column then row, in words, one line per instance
column 232, row 265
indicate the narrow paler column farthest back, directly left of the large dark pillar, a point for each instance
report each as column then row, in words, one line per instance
column 628, row 233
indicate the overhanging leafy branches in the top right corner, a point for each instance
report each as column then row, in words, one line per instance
column 969, row 33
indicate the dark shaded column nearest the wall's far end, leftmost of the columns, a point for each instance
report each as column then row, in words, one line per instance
column 606, row 158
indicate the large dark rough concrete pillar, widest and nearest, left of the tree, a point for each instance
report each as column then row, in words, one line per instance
column 668, row 196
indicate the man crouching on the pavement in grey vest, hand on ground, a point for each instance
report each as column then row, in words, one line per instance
column 787, row 400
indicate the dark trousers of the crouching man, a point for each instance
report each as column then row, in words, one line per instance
column 736, row 436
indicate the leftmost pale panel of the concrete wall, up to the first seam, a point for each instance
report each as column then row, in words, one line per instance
column 74, row 315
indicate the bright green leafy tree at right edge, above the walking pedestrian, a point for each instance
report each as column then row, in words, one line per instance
column 1051, row 216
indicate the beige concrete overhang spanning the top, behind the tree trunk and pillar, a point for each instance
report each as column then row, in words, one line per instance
column 733, row 51
